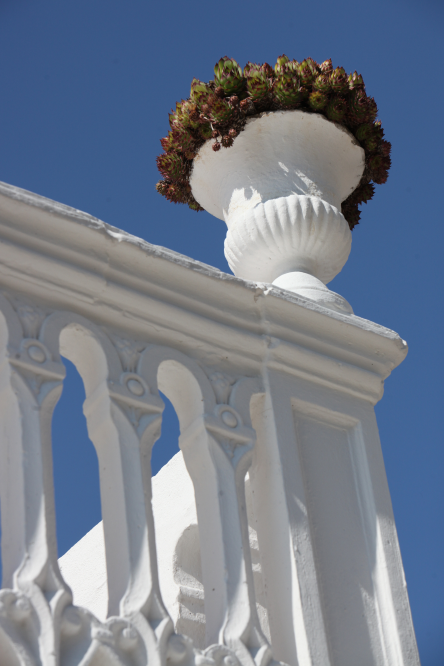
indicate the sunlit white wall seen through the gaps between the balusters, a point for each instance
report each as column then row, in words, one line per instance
column 178, row 551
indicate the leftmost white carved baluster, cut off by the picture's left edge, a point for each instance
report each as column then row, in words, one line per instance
column 30, row 384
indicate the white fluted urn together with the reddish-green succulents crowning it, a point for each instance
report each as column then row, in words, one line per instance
column 305, row 149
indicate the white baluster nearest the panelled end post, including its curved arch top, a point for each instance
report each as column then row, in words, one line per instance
column 217, row 441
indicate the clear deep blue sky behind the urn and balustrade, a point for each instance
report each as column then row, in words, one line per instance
column 86, row 86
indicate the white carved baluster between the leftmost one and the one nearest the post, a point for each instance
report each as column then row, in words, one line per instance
column 124, row 421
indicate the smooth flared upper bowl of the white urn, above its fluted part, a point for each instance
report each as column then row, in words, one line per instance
column 279, row 153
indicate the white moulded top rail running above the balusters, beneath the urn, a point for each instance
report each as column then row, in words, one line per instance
column 61, row 255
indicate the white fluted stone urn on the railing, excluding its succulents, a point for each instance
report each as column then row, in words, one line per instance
column 279, row 189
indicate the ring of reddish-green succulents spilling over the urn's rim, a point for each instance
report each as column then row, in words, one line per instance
column 218, row 110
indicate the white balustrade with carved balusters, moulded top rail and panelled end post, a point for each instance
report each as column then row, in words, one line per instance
column 263, row 382
